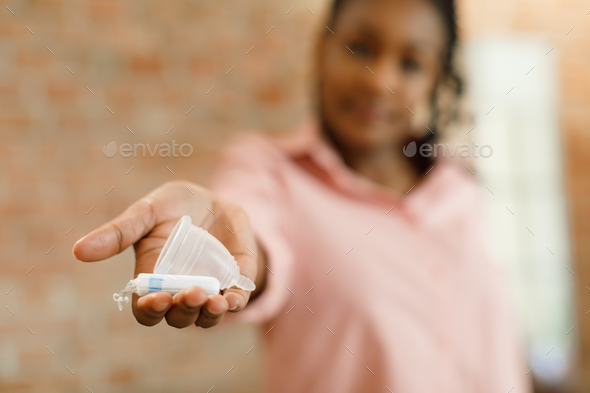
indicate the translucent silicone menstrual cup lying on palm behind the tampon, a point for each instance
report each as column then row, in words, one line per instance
column 191, row 250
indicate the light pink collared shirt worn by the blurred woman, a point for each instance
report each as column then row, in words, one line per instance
column 368, row 290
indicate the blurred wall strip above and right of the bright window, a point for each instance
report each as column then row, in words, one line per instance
column 553, row 21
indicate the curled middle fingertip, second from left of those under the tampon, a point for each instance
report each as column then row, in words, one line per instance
column 186, row 306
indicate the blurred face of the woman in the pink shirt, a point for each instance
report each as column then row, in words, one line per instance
column 382, row 61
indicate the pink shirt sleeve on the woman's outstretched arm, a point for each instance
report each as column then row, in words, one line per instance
column 247, row 172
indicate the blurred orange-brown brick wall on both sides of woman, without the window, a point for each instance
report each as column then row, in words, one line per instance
column 88, row 73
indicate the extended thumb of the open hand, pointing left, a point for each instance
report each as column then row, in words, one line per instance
column 118, row 234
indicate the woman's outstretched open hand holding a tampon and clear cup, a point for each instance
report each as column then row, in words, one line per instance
column 147, row 224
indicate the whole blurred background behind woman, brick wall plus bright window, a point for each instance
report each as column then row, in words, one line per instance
column 75, row 76
